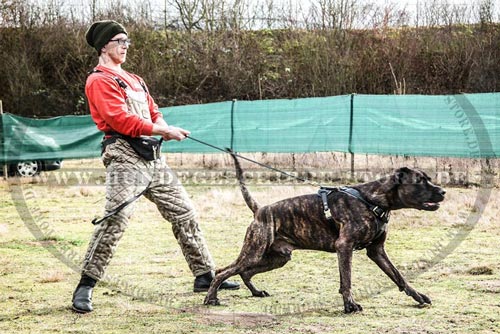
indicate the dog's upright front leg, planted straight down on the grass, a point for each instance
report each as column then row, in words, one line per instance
column 344, row 255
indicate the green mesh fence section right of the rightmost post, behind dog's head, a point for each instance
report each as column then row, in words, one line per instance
column 455, row 126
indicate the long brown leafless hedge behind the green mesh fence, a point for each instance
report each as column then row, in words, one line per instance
column 43, row 68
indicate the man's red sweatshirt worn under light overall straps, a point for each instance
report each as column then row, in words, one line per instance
column 108, row 107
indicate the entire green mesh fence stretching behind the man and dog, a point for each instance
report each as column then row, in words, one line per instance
column 465, row 125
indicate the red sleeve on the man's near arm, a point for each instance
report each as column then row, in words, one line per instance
column 109, row 109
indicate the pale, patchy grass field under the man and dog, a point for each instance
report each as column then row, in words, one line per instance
column 452, row 255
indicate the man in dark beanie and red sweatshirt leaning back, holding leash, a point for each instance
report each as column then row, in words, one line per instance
column 122, row 108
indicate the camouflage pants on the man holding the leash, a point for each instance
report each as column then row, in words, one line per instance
column 126, row 175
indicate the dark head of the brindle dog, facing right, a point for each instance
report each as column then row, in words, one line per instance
column 414, row 189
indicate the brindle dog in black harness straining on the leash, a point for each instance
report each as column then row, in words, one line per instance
column 300, row 223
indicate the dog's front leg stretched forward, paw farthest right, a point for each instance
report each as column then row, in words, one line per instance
column 378, row 255
